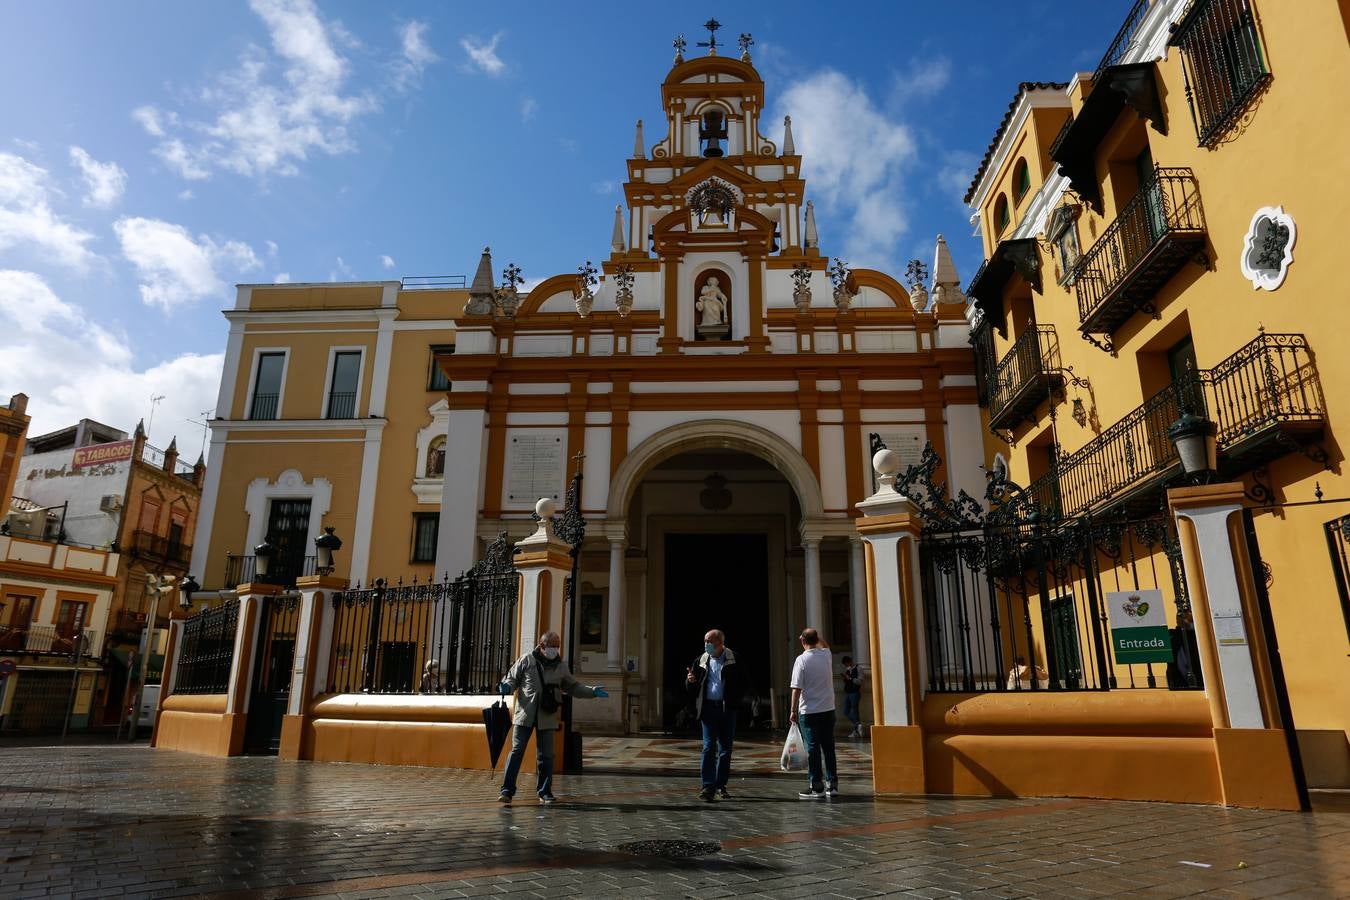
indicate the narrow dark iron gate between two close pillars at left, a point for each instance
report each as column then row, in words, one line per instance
column 279, row 623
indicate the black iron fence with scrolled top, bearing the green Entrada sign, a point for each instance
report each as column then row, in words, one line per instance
column 1015, row 598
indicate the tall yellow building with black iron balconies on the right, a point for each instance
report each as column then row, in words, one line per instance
column 1162, row 241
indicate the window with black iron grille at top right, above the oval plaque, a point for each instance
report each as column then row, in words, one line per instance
column 1224, row 64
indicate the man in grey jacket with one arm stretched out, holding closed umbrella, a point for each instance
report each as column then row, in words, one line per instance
column 539, row 679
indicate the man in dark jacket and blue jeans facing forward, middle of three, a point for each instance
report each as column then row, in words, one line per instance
column 718, row 687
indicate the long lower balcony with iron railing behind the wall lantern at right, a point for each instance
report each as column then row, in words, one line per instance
column 1266, row 401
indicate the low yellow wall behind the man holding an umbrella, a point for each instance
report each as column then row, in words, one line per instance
column 445, row 732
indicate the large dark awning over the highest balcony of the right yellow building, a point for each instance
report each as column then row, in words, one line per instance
column 1118, row 87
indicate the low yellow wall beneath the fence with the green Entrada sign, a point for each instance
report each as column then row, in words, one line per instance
column 1147, row 746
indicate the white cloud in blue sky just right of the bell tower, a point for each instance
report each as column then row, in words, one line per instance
column 854, row 164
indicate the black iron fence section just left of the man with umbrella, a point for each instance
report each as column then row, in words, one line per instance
column 385, row 636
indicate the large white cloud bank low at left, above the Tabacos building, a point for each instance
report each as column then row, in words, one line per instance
column 88, row 370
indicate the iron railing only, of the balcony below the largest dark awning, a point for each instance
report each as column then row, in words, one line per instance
column 1167, row 206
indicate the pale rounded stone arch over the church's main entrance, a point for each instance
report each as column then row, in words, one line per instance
column 716, row 434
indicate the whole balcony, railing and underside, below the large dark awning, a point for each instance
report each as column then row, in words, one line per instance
column 1158, row 231
